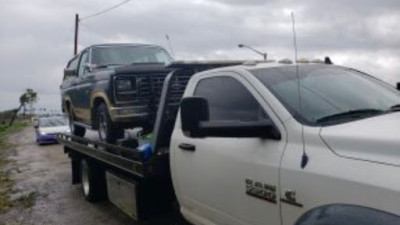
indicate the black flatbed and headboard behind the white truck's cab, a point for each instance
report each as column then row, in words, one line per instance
column 141, row 188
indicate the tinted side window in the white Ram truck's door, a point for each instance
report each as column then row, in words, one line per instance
column 229, row 100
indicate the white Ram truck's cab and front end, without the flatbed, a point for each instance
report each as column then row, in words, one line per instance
column 273, row 144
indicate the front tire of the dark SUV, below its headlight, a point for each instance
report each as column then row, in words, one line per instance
column 108, row 131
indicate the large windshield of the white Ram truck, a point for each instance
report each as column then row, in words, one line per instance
column 328, row 93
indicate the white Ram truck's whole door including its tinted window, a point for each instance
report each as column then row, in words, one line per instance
column 229, row 180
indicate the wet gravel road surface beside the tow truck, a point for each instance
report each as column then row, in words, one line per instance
column 42, row 176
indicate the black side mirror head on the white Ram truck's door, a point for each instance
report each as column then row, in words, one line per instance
column 193, row 110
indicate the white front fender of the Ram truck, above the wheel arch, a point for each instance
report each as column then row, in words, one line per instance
column 329, row 178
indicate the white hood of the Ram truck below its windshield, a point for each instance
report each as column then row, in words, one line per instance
column 375, row 139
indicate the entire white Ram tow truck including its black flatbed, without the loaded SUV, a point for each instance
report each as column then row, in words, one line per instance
column 258, row 143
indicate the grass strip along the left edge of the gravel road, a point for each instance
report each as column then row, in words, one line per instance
column 6, row 185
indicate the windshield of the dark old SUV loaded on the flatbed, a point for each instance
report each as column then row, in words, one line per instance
column 125, row 55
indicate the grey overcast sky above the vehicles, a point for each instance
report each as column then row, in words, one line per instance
column 36, row 36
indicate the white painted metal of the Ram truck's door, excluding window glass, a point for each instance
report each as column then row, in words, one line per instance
column 210, row 182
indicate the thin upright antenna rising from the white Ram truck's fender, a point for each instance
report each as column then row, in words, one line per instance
column 304, row 157
